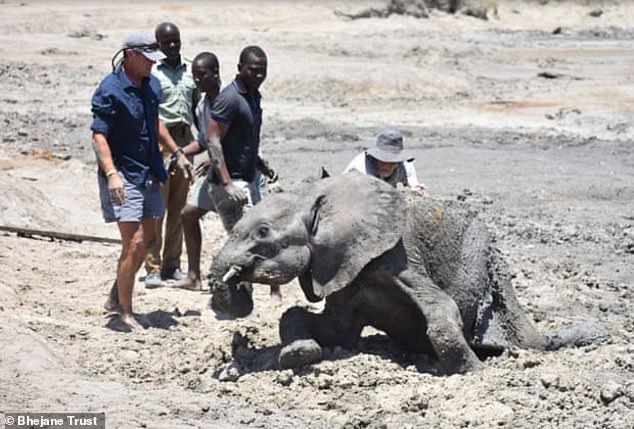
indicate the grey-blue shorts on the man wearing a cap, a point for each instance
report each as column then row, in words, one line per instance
column 141, row 203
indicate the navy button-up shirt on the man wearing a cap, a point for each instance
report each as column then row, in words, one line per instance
column 128, row 116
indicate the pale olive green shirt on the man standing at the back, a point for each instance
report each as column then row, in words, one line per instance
column 179, row 95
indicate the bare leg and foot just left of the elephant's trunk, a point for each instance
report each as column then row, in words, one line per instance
column 191, row 216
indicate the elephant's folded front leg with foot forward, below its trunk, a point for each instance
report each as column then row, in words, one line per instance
column 304, row 333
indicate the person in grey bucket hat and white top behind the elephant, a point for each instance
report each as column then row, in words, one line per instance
column 388, row 161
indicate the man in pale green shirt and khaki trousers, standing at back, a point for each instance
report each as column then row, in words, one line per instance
column 176, row 110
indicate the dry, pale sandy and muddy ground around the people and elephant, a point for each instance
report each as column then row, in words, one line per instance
column 548, row 161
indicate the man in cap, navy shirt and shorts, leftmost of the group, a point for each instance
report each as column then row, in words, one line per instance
column 126, row 131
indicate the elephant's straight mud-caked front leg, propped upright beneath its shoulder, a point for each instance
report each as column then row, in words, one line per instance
column 444, row 323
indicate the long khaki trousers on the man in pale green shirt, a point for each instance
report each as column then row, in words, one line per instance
column 169, row 230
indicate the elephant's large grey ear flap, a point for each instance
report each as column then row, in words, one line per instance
column 353, row 219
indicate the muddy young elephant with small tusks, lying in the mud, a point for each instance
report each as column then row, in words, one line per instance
column 423, row 271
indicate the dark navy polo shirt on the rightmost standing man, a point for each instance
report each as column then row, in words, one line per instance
column 242, row 114
